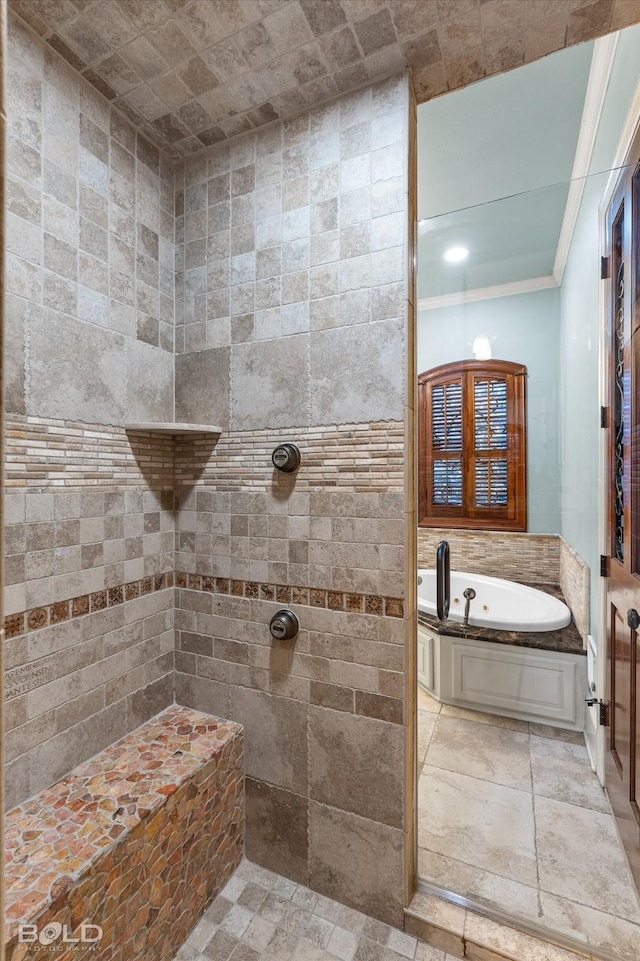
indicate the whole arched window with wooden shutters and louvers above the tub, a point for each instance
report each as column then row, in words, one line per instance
column 472, row 446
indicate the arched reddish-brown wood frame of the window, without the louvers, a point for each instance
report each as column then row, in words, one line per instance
column 513, row 517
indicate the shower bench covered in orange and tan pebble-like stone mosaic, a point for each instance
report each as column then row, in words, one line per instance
column 138, row 840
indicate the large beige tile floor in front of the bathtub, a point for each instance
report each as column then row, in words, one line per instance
column 511, row 815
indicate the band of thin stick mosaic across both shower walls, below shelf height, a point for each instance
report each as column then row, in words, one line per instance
column 56, row 453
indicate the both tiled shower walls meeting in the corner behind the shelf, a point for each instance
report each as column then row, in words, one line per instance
column 291, row 307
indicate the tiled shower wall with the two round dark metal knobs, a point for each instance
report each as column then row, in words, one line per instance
column 295, row 299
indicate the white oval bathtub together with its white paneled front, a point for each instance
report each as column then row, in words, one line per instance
column 500, row 676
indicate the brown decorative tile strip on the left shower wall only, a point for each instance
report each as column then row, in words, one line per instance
column 40, row 617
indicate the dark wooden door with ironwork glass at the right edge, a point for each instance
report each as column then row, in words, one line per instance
column 622, row 767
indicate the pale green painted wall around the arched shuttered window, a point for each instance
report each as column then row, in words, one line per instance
column 524, row 328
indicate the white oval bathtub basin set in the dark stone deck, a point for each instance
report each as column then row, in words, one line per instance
column 502, row 605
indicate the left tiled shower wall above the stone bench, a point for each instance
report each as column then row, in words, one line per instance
column 89, row 346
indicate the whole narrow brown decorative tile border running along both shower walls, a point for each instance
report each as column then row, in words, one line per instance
column 60, row 611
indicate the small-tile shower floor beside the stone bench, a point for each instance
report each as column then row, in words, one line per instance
column 260, row 916
